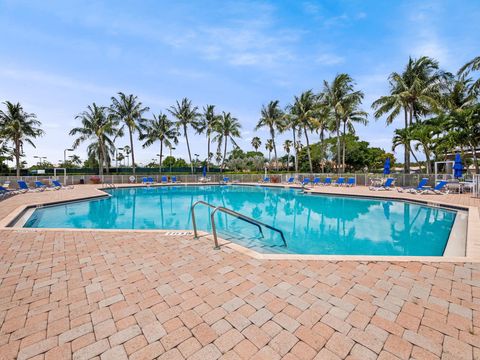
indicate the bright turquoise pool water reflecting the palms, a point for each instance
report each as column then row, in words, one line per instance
column 312, row 224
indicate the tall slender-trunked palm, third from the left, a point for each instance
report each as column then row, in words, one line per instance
column 129, row 110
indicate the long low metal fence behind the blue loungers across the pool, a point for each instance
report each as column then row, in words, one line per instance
column 360, row 179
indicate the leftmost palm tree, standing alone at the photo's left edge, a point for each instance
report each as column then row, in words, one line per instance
column 19, row 127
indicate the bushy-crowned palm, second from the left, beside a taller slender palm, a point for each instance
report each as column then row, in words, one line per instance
column 98, row 127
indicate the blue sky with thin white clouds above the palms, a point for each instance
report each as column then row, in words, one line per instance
column 59, row 56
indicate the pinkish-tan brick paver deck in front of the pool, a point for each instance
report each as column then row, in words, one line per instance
column 147, row 295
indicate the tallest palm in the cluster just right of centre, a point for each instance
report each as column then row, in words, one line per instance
column 338, row 96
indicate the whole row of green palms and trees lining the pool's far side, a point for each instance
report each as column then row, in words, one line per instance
column 440, row 110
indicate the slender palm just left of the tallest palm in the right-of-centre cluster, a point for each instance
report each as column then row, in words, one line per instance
column 304, row 113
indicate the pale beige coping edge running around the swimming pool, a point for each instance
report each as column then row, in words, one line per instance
column 472, row 241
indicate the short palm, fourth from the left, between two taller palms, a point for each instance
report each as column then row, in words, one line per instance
column 159, row 129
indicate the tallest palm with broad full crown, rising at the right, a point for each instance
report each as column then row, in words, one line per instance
column 415, row 91
